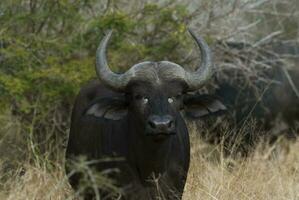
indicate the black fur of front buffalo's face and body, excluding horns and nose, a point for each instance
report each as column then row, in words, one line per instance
column 105, row 134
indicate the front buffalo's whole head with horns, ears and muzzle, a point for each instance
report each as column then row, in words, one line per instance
column 154, row 93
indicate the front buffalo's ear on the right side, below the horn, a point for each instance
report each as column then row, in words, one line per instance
column 196, row 105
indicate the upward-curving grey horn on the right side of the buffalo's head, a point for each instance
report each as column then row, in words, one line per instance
column 204, row 72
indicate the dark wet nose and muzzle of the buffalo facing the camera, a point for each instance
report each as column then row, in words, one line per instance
column 161, row 124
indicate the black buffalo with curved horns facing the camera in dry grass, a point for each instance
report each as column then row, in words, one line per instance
column 137, row 116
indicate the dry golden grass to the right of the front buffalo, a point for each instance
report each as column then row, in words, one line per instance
column 271, row 172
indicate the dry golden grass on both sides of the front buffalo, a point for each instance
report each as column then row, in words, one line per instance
column 271, row 172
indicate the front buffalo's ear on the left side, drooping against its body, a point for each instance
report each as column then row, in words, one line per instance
column 114, row 108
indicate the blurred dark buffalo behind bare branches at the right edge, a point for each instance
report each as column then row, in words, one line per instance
column 269, row 96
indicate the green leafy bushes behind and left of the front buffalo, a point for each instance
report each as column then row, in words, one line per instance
column 47, row 52
